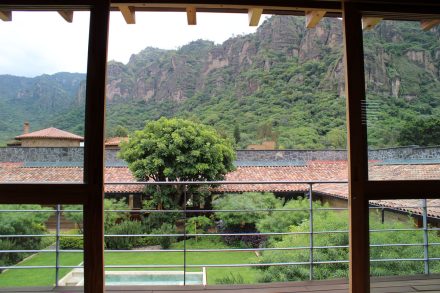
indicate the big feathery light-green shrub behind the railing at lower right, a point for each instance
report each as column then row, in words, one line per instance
column 325, row 220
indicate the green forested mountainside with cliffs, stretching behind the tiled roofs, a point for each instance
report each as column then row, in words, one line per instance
column 284, row 82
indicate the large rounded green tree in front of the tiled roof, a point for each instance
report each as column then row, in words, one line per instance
column 177, row 149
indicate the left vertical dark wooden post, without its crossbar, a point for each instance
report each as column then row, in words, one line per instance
column 94, row 148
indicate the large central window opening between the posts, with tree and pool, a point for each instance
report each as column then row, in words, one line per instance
column 276, row 93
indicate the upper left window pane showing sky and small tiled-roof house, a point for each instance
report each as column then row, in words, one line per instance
column 42, row 97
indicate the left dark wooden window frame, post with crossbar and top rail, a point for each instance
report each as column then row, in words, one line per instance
column 90, row 193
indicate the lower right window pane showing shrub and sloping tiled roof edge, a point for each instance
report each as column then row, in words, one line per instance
column 404, row 237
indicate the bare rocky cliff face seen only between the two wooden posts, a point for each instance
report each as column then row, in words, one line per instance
column 155, row 74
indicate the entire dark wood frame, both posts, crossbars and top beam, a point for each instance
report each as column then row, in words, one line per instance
column 90, row 192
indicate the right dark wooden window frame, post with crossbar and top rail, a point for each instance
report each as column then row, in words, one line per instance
column 361, row 189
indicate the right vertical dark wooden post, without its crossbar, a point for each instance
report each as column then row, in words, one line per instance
column 357, row 150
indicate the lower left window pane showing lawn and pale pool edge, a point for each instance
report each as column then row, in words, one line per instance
column 40, row 246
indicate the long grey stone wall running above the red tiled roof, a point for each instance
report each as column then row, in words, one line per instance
column 76, row 154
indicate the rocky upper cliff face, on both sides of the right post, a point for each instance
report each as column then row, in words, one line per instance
column 155, row 74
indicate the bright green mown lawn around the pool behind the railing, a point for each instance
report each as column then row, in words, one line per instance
column 46, row 277
